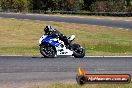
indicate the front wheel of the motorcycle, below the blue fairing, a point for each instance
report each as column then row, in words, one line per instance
column 47, row 51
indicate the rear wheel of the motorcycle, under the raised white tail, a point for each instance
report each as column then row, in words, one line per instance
column 78, row 51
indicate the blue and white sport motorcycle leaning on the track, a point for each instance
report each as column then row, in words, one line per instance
column 52, row 47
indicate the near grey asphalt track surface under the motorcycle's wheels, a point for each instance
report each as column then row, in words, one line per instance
column 14, row 68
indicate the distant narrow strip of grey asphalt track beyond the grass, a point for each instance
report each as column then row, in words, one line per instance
column 101, row 22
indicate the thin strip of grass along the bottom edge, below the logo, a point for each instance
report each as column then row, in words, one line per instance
column 69, row 85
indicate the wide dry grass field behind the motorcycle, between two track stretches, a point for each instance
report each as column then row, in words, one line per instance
column 20, row 37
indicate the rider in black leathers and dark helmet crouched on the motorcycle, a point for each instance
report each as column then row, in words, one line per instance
column 53, row 32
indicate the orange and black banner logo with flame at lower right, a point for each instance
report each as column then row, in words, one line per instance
column 83, row 78
